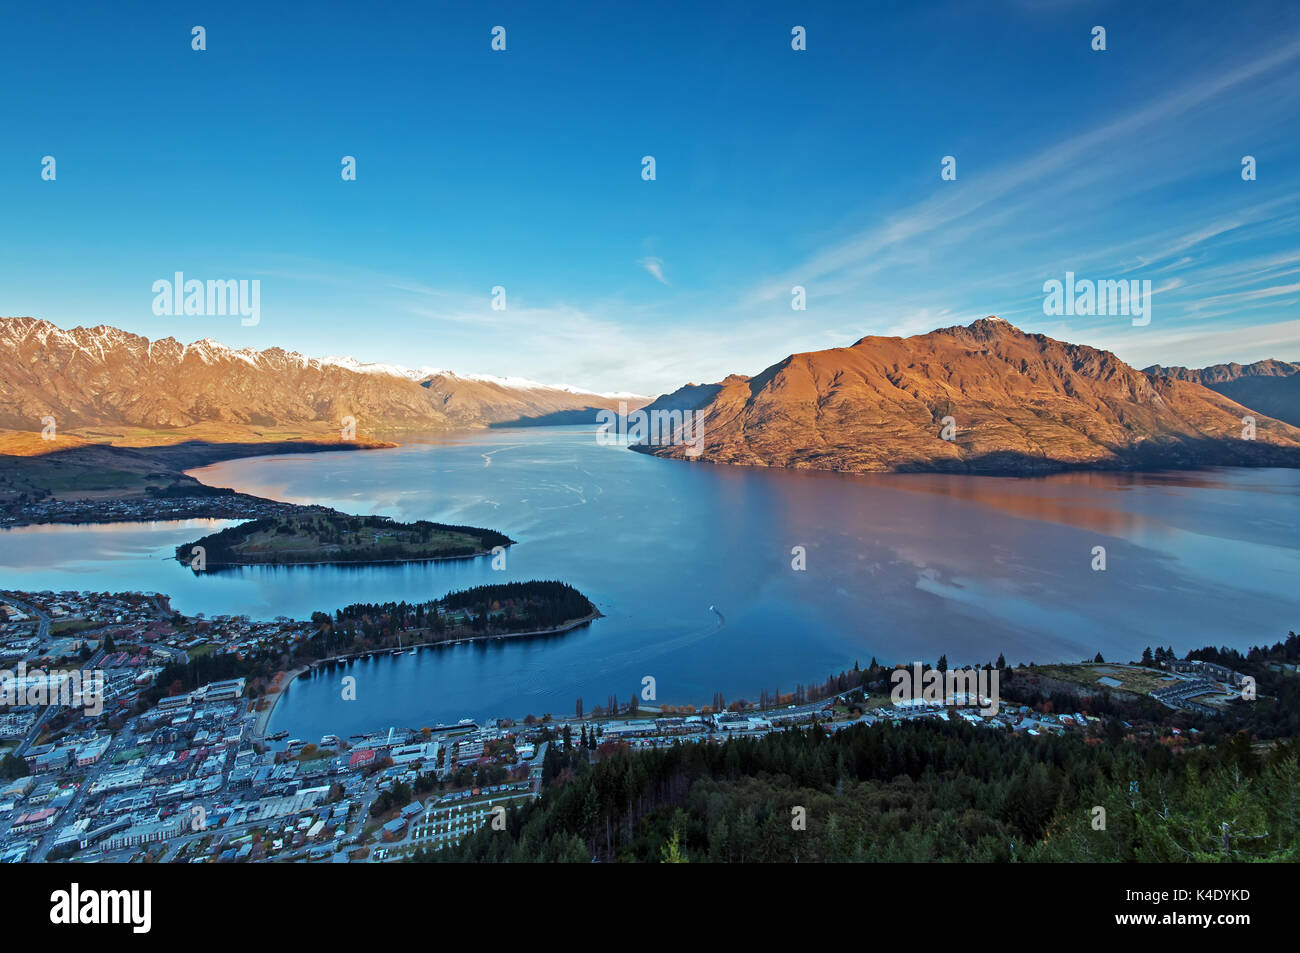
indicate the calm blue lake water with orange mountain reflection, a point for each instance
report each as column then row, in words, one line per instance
column 692, row 568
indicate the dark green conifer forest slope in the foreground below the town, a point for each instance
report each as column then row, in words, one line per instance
column 925, row 791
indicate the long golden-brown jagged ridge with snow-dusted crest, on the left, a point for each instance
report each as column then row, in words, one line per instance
column 103, row 376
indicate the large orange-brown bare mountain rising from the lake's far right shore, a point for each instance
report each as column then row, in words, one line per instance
column 1020, row 404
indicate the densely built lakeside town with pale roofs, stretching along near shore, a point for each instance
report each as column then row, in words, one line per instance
column 167, row 774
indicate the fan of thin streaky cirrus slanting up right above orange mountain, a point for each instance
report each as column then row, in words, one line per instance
column 1055, row 211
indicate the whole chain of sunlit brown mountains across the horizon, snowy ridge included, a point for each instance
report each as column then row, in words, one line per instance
column 983, row 398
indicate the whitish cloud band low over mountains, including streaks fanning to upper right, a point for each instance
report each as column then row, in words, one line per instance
column 1117, row 200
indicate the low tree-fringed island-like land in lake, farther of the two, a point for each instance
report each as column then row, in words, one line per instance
column 324, row 538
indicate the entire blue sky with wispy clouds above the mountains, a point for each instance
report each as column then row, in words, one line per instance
column 775, row 168
